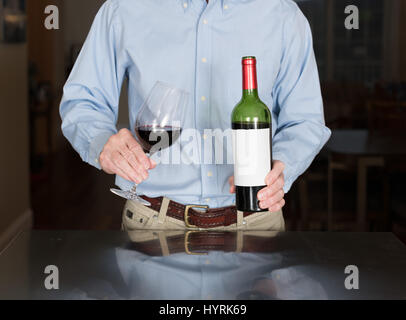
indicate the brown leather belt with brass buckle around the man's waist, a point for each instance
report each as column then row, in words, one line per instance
column 210, row 218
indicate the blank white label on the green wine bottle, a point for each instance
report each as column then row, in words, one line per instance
column 252, row 157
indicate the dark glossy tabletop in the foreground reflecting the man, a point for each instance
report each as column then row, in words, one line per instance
column 193, row 265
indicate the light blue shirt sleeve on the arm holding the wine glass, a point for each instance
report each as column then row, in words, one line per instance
column 89, row 106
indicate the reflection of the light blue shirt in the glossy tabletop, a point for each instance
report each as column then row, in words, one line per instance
column 217, row 275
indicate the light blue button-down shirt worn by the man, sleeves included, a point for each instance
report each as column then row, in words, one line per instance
column 198, row 48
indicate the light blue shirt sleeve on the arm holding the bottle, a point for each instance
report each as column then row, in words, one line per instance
column 301, row 130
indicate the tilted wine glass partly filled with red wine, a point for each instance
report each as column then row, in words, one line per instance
column 158, row 125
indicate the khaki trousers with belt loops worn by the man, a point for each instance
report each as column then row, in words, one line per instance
column 139, row 217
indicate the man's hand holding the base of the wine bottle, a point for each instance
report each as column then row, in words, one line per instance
column 272, row 196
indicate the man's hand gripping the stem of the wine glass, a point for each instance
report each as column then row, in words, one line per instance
column 124, row 156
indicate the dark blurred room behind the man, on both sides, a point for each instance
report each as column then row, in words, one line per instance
column 44, row 183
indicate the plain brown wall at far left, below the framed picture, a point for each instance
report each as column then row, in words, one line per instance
column 15, row 211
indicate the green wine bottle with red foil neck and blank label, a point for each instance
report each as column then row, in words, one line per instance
column 252, row 141
